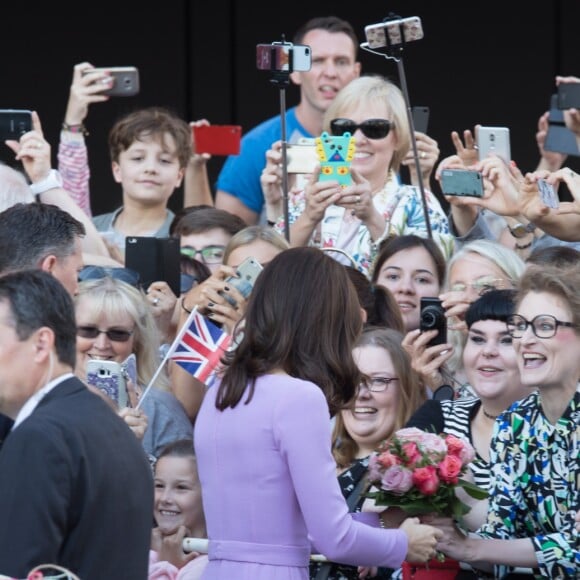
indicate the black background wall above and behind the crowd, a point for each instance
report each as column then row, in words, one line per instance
column 492, row 63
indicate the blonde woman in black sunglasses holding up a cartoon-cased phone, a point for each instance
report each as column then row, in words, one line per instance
column 358, row 217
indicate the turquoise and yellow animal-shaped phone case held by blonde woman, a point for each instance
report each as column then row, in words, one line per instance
column 335, row 154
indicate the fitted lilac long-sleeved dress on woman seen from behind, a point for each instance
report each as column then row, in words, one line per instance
column 270, row 491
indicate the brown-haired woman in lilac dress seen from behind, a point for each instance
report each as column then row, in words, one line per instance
column 262, row 436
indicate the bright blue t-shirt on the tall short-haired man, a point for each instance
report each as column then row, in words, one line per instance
column 240, row 174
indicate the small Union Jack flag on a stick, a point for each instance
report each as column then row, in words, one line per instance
column 199, row 346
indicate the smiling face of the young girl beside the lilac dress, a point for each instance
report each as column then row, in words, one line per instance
column 177, row 495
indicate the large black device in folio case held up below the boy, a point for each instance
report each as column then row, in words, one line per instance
column 155, row 259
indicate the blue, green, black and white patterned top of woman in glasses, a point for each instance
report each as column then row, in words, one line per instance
column 535, row 483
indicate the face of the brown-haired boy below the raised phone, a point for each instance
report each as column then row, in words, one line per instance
column 149, row 170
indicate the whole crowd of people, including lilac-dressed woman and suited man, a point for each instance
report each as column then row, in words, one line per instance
column 265, row 461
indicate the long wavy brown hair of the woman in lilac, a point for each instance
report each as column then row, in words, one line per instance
column 302, row 317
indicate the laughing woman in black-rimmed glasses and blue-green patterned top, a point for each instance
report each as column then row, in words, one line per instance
column 535, row 452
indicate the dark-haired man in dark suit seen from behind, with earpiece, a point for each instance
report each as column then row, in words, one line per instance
column 76, row 488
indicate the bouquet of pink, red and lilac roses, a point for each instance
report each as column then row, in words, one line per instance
column 419, row 471
